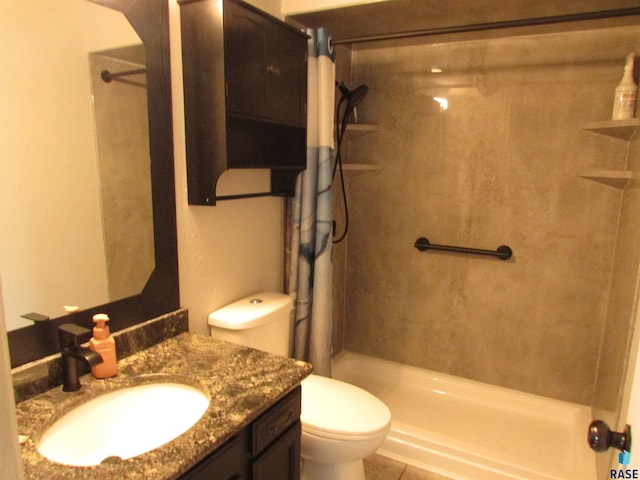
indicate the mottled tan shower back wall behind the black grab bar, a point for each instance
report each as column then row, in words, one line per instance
column 500, row 166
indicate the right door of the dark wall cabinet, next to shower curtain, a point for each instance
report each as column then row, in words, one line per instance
column 286, row 75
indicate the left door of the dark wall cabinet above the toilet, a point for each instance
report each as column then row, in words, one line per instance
column 244, row 61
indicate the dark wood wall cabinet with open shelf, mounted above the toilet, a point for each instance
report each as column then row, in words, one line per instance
column 245, row 89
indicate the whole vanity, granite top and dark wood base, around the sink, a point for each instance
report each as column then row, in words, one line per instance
column 250, row 430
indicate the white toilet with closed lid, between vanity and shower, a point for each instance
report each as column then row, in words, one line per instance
column 341, row 423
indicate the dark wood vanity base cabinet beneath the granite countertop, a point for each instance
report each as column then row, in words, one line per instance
column 268, row 449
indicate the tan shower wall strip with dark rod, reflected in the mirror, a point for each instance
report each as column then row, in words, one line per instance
column 119, row 90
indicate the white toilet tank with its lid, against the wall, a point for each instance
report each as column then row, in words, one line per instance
column 261, row 321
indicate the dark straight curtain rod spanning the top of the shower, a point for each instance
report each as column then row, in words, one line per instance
column 479, row 27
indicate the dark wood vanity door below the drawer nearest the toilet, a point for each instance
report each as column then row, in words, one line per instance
column 281, row 461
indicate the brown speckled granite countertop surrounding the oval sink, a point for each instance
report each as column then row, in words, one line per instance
column 242, row 383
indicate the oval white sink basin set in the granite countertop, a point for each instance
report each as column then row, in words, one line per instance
column 124, row 423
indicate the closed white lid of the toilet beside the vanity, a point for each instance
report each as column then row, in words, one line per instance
column 334, row 408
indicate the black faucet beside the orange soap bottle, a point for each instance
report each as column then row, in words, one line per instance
column 72, row 353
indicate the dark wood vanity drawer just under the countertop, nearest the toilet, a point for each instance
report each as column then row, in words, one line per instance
column 276, row 421
